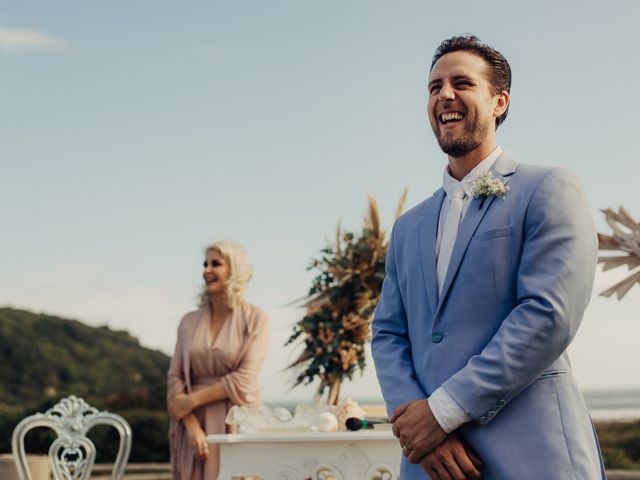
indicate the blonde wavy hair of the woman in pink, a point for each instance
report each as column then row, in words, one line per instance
column 239, row 272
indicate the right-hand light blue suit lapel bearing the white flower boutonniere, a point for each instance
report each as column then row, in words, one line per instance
column 503, row 168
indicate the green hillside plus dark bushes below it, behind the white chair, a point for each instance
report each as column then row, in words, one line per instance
column 44, row 358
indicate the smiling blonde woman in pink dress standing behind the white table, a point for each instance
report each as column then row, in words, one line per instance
column 219, row 351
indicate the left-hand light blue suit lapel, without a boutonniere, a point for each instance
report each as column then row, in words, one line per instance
column 428, row 233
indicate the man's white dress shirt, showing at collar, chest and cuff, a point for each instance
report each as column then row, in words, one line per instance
column 445, row 409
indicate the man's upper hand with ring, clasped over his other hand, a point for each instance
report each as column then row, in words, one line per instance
column 417, row 429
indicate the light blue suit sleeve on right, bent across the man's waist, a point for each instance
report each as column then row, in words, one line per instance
column 554, row 282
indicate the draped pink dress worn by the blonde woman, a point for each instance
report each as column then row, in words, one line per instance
column 234, row 360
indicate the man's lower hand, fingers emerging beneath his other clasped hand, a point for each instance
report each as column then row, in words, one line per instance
column 452, row 460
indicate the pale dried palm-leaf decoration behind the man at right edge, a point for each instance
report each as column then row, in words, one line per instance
column 625, row 240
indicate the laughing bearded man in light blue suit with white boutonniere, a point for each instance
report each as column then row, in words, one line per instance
column 486, row 285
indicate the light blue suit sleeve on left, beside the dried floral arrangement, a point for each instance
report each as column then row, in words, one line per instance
column 390, row 345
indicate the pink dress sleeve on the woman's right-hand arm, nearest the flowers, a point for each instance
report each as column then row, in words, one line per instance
column 241, row 384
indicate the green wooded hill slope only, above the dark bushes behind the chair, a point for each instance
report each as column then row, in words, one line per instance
column 42, row 356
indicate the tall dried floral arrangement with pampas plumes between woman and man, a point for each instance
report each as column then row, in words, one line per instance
column 340, row 306
